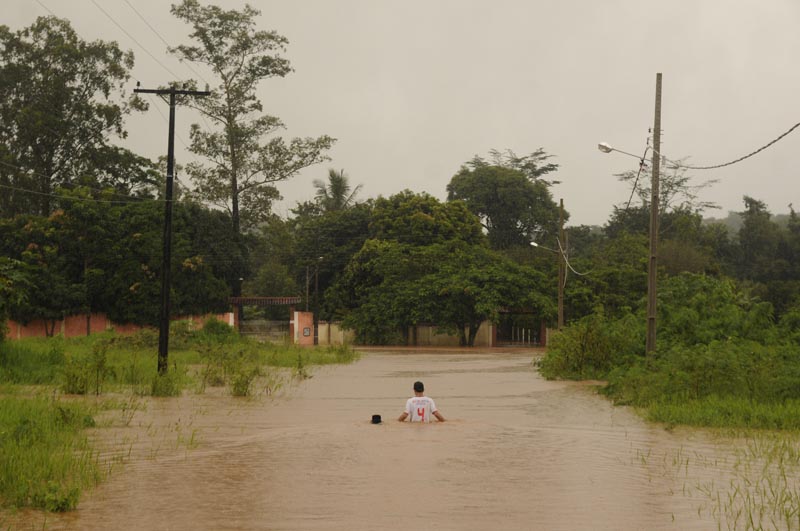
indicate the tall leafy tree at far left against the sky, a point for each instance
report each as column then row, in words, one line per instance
column 60, row 110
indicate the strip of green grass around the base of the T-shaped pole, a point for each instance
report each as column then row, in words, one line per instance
column 105, row 362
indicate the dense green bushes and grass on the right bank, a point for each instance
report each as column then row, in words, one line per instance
column 721, row 359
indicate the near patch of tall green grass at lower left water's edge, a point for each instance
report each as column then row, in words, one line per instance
column 45, row 459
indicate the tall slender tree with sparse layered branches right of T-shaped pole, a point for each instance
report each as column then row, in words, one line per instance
column 243, row 166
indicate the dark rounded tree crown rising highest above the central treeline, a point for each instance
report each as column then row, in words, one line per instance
column 514, row 206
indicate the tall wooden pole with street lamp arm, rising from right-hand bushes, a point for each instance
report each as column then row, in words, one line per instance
column 651, row 269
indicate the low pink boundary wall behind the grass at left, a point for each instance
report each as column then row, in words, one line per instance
column 82, row 325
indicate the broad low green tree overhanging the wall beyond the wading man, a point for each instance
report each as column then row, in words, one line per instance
column 389, row 287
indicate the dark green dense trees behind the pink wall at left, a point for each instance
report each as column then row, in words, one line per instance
column 92, row 257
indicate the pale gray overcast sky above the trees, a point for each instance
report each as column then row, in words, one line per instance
column 413, row 89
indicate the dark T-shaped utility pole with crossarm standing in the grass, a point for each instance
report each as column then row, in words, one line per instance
column 163, row 321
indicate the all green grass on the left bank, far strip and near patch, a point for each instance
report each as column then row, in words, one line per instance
column 45, row 459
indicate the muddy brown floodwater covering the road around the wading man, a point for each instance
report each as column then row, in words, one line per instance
column 517, row 452
